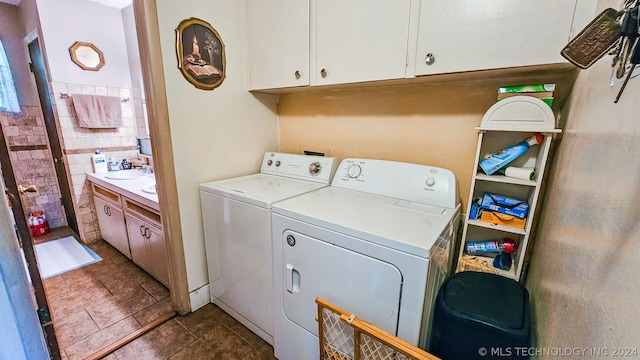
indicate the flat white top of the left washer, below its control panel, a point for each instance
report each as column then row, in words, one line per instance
column 260, row 189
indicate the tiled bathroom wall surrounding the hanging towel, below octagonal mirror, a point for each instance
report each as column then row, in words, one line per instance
column 79, row 144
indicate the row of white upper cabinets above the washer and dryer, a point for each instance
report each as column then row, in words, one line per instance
column 297, row 43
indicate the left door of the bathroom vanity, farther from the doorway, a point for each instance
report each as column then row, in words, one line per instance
column 112, row 225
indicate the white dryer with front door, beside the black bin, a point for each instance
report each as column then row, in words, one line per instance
column 378, row 243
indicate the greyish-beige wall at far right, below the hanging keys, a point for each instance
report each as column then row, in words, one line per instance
column 583, row 279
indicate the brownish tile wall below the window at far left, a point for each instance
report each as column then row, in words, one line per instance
column 32, row 163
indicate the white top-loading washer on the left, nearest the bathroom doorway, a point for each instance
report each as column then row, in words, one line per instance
column 237, row 230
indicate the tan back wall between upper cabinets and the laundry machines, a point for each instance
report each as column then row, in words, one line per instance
column 432, row 124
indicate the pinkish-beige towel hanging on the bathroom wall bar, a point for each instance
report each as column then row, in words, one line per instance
column 98, row 111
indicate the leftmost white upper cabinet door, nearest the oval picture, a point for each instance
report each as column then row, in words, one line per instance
column 278, row 43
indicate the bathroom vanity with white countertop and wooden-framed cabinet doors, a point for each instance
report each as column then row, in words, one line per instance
column 129, row 218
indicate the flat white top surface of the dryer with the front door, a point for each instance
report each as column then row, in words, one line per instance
column 406, row 226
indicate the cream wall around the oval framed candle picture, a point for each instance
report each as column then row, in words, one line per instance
column 215, row 134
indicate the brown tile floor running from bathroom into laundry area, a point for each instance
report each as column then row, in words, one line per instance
column 101, row 303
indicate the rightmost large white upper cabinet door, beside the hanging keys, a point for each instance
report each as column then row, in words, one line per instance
column 467, row 35
